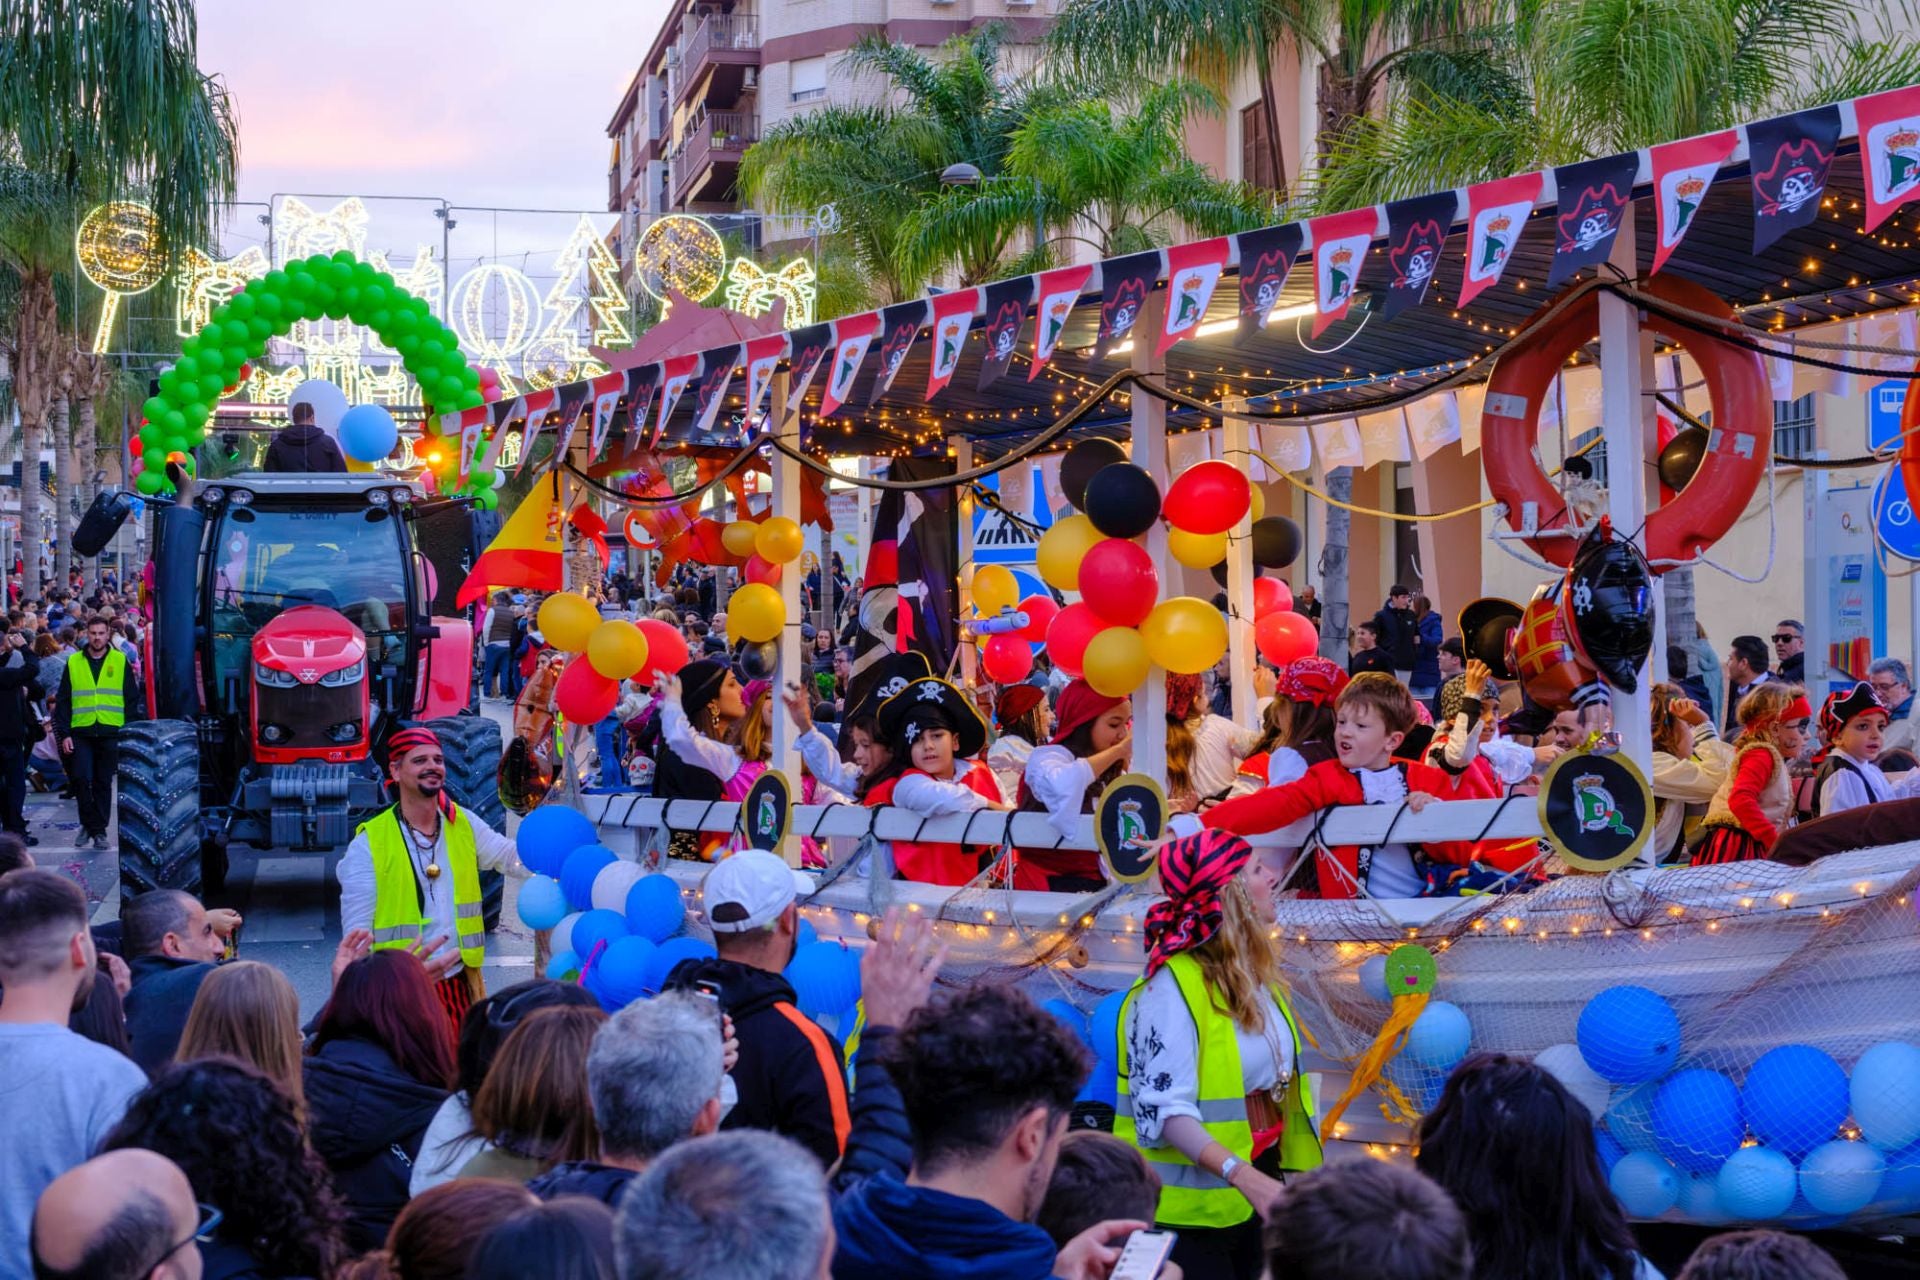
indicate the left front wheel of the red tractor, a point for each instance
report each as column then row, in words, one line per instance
column 160, row 807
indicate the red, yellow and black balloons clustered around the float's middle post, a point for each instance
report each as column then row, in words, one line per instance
column 1122, row 628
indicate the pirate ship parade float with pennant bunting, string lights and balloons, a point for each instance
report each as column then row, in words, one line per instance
column 1740, row 1033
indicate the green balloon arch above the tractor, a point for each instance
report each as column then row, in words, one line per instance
column 312, row 289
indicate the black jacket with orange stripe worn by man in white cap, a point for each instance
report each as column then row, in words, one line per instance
column 792, row 1076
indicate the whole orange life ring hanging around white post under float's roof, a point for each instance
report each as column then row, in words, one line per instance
column 1729, row 477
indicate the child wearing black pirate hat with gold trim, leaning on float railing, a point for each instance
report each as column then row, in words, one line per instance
column 934, row 736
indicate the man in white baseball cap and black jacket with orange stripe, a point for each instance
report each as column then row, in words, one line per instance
column 792, row 1076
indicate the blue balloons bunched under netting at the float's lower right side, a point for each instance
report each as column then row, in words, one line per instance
column 1773, row 1147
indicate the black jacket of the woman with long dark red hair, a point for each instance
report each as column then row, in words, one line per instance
column 368, row 1118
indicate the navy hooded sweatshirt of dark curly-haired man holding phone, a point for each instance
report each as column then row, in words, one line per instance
column 892, row 1231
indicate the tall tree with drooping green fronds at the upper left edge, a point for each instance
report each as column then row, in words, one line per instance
column 99, row 99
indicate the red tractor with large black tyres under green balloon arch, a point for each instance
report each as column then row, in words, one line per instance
column 299, row 621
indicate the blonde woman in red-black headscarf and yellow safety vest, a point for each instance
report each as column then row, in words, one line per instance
column 1211, row 1081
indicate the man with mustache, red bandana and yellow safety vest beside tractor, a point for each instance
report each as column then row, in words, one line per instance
column 412, row 876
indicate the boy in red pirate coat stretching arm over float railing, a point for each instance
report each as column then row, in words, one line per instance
column 1374, row 715
